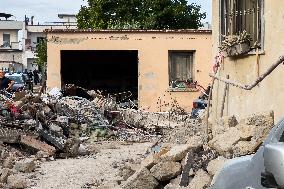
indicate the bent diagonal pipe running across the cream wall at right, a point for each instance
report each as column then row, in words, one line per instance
column 256, row 82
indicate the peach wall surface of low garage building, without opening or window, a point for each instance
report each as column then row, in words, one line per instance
column 152, row 49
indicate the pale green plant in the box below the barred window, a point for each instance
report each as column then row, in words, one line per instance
column 231, row 40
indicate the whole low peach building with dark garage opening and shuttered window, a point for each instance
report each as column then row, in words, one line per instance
column 167, row 62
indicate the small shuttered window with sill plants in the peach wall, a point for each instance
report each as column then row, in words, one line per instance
column 180, row 68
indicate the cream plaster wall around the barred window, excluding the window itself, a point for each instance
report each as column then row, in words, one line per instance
column 269, row 95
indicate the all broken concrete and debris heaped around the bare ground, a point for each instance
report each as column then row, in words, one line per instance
column 37, row 129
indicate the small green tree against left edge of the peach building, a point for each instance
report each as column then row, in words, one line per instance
column 41, row 54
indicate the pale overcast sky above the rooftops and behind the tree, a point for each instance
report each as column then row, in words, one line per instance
column 47, row 10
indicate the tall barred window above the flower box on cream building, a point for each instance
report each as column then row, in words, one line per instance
column 242, row 15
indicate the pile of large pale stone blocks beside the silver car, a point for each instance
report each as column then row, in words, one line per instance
column 193, row 163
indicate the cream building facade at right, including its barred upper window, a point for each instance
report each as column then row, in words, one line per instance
column 263, row 19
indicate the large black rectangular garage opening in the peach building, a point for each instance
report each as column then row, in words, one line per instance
column 110, row 71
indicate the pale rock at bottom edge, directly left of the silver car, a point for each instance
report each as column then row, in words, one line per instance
column 201, row 180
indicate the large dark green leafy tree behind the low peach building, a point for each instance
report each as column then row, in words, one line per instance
column 140, row 14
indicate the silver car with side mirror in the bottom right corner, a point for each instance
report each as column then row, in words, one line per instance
column 264, row 169
